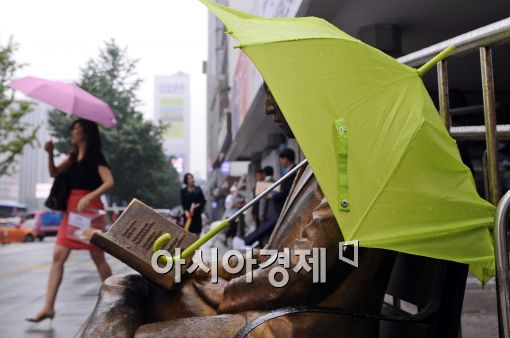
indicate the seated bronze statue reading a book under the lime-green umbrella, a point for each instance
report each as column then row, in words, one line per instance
column 132, row 306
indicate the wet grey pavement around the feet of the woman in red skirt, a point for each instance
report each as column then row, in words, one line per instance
column 24, row 271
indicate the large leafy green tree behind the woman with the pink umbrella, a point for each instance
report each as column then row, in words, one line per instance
column 133, row 149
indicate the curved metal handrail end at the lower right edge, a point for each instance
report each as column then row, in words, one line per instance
column 502, row 264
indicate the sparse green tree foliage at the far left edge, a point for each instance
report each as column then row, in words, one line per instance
column 15, row 131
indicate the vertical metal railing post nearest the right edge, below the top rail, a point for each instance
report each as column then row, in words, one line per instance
column 489, row 108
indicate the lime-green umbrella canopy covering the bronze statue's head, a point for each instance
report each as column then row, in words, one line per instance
column 389, row 169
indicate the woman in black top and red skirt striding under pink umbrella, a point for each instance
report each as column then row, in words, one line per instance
column 88, row 176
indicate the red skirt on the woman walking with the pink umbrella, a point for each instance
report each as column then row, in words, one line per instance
column 72, row 204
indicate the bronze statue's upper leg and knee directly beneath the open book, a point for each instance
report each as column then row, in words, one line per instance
column 127, row 302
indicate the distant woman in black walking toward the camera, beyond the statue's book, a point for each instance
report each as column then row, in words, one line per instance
column 193, row 202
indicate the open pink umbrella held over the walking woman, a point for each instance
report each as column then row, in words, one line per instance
column 68, row 98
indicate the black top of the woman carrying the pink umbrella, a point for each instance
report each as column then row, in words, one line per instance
column 84, row 174
